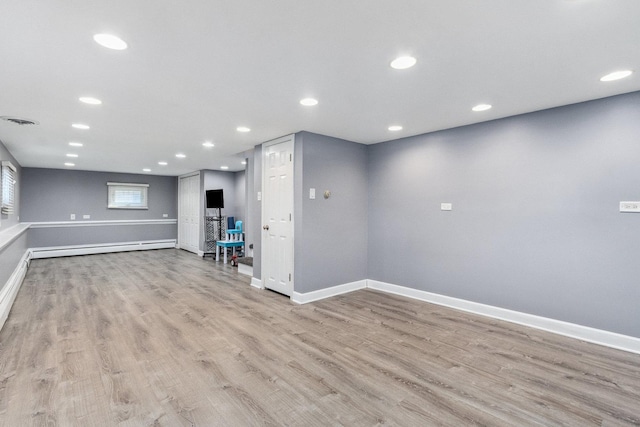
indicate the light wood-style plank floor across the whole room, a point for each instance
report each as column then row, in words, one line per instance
column 167, row 338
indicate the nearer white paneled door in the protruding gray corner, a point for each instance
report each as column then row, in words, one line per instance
column 277, row 215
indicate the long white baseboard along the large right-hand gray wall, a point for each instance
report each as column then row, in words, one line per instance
column 584, row 333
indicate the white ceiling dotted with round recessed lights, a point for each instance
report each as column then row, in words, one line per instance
column 195, row 70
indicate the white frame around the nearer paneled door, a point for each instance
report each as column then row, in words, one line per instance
column 263, row 216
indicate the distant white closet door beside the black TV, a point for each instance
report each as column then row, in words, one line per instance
column 189, row 213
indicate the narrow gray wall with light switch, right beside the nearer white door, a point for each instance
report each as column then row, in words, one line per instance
column 330, row 234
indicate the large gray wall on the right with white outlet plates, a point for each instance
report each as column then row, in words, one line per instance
column 535, row 225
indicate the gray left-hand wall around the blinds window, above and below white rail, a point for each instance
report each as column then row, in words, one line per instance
column 11, row 254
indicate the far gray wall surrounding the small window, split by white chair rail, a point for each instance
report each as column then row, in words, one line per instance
column 53, row 194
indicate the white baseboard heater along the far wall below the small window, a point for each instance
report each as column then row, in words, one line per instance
column 100, row 248
